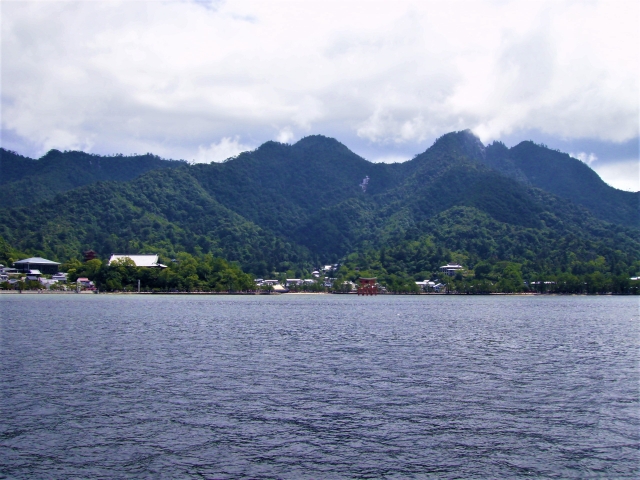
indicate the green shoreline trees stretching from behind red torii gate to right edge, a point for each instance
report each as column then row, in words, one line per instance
column 398, row 269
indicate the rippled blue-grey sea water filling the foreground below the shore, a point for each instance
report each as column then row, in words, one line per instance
column 323, row 386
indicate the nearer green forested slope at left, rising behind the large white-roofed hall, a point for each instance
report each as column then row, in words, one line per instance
column 164, row 210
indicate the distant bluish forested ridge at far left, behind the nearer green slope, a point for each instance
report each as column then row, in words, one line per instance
column 25, row 181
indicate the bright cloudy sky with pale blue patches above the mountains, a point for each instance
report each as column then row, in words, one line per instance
column 206, row 80
